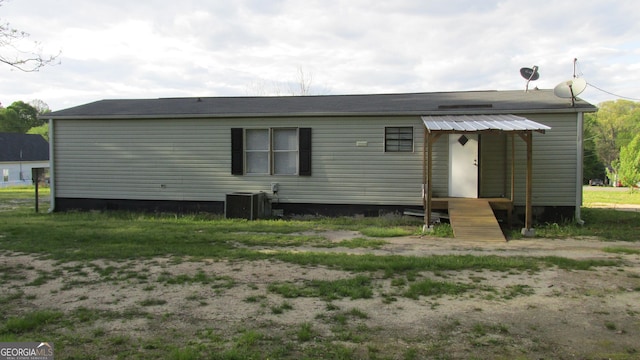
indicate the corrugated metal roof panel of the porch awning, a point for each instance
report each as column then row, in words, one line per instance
column 480, row 123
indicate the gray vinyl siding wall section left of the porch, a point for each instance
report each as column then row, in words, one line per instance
column 191, row 160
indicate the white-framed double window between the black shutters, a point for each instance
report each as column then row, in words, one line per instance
column 271, row 151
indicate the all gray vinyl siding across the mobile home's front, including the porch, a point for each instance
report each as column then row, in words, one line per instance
column 190, row 160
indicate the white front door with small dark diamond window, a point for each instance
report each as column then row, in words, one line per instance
column 463, row 165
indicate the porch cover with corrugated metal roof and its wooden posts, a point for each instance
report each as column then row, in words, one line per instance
column 437, row 125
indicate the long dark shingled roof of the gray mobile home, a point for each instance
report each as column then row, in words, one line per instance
column 328, row 105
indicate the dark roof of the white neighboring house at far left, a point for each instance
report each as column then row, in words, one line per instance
column 33, row 147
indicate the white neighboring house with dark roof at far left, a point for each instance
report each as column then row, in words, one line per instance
column 19, row 154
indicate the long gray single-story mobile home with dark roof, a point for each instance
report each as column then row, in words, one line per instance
column 333, row 154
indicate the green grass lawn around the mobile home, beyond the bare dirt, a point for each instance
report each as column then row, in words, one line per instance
column 82, row 235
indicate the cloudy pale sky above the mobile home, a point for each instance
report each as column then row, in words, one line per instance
column 161, row 48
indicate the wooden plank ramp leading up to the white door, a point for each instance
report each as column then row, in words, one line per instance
column 473, row 219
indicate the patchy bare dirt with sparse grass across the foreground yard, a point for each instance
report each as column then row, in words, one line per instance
column 529, row 314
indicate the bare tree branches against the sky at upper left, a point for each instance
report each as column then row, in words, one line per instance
column 14, row 54
